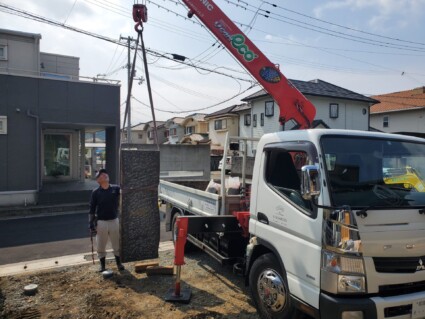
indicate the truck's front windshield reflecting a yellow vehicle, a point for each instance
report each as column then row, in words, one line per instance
column 374, row 172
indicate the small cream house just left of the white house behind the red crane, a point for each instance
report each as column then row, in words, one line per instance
column 220, row 123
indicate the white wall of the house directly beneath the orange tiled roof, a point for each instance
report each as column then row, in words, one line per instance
column 411, row 121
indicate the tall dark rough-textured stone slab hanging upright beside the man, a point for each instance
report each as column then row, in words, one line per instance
column 139, row 213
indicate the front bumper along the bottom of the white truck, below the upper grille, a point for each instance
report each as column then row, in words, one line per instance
column 394, row 307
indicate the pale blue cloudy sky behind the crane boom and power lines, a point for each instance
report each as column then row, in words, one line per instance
column 387, row 55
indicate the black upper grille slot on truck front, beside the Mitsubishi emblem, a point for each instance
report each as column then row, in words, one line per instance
column 399, row 264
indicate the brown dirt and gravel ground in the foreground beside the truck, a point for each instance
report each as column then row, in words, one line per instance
column 81, row 292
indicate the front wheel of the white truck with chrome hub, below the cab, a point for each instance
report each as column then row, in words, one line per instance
column 269, row 288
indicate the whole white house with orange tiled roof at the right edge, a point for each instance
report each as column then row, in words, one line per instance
column 400, row 112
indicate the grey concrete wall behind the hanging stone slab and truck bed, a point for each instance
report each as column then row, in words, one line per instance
column 181, row 162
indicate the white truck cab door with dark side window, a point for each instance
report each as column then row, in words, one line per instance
column 288, row 222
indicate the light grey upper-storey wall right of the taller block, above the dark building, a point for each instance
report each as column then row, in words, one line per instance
column 60, row 64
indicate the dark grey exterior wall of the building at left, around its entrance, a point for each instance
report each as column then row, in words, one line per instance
column 58, row 105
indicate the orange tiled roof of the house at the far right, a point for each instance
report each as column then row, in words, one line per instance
column 400, row 101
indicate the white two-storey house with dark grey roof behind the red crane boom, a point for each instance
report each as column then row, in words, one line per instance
column 336, row 107
